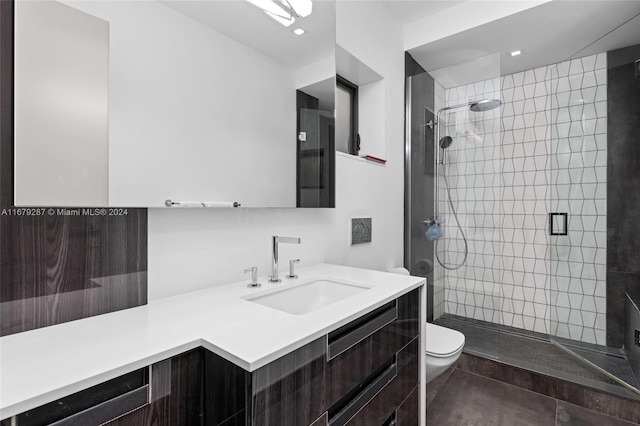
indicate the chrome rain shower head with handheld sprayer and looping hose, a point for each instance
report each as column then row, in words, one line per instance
column 434, row 230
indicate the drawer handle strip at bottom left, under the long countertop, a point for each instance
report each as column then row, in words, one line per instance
column 109, row 410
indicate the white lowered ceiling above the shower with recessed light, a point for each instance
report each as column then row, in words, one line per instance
column 549, row 33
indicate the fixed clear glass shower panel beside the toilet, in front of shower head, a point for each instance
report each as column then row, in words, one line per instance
column 468, row 257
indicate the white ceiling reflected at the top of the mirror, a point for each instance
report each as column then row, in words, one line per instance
column 249, row 25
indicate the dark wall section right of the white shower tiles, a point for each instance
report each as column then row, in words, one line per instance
column 623, row 188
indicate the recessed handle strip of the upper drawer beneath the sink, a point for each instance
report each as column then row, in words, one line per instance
column 340, row 340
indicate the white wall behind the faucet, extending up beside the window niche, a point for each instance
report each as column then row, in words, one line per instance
column 192, row 249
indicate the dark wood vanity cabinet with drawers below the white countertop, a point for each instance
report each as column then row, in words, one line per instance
column 364, row 373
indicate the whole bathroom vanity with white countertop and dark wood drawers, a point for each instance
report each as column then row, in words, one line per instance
column 218, row 357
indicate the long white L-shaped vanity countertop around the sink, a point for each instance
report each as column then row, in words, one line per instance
column 42, row 365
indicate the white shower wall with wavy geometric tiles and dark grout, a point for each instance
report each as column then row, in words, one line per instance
column 543, row 151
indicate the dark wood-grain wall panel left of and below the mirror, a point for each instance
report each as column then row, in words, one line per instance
column 53, row 267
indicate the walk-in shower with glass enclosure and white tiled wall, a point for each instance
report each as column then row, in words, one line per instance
column 493, row 180
